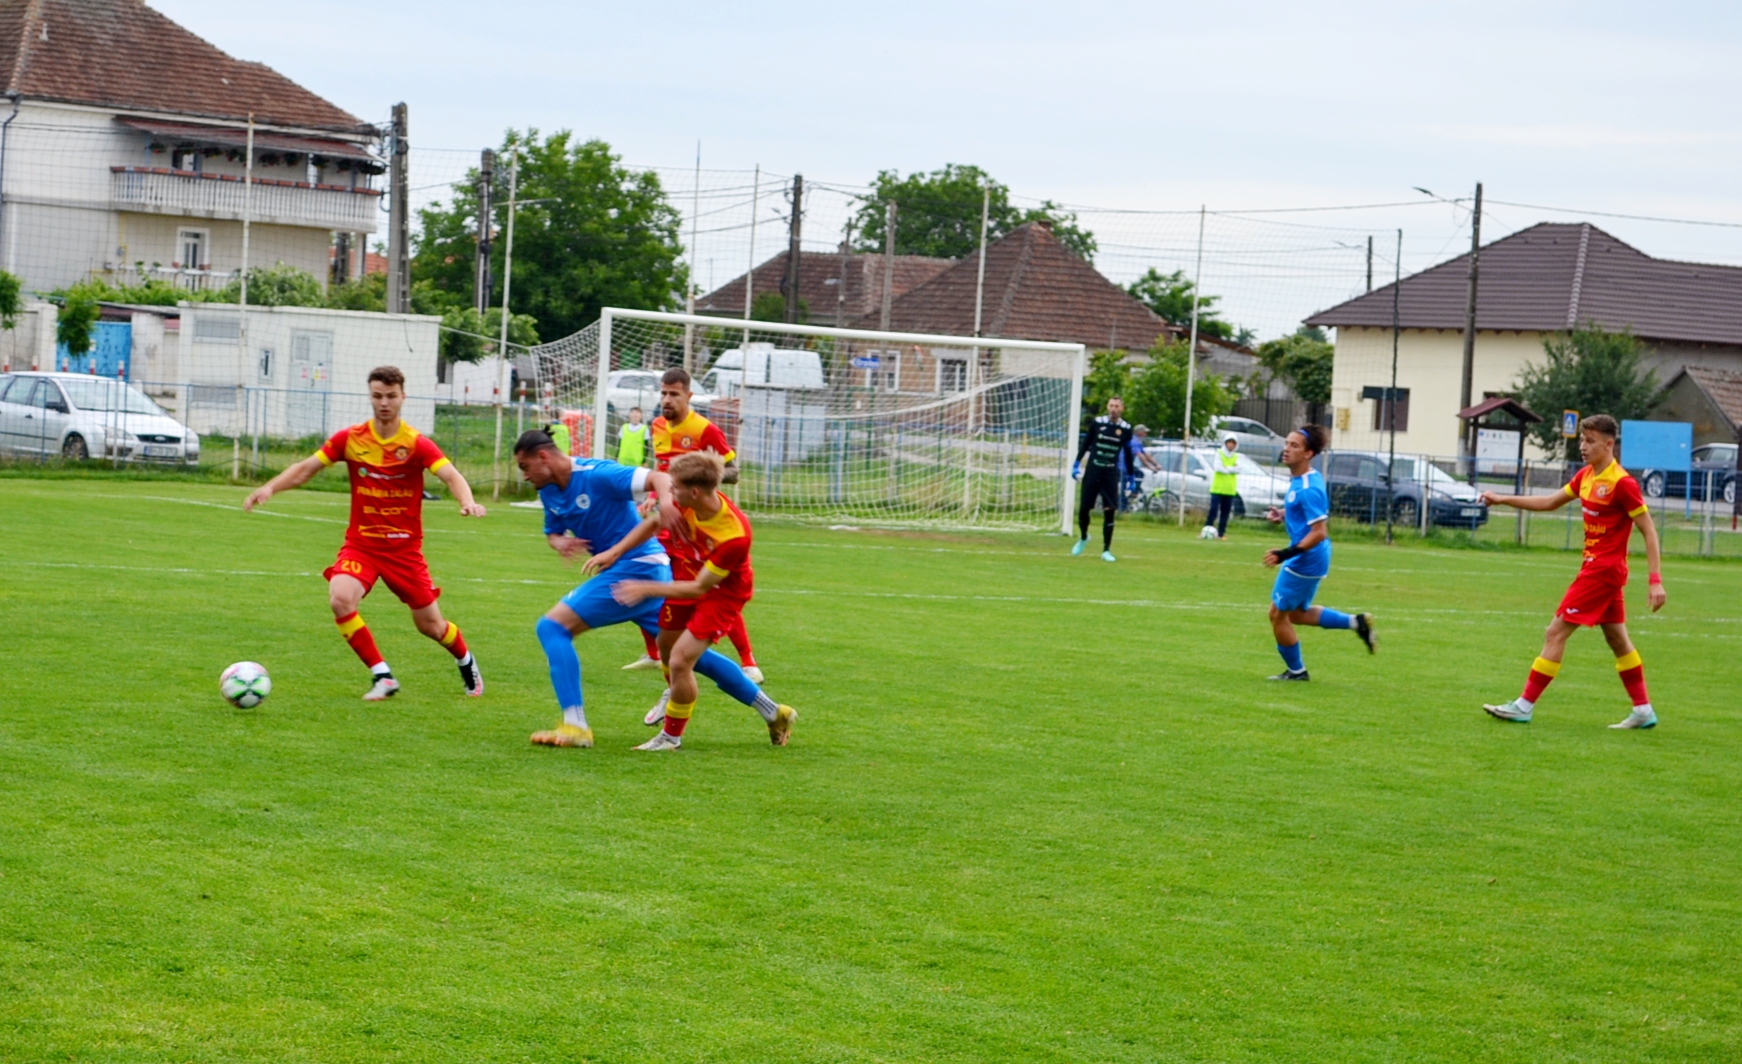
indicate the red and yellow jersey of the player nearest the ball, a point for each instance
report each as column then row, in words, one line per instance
column 386, row 485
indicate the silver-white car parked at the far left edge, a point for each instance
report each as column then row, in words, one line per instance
column 81, row 417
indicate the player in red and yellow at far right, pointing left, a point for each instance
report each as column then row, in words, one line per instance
column 1614, row 508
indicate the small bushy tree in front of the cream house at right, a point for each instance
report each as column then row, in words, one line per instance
column 1593, row 372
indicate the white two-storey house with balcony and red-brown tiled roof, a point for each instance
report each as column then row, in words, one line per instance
column 125, row 145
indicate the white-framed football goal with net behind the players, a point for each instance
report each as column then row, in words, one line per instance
column 842, row 424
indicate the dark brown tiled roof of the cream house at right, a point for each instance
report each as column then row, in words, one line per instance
column 1555, row 276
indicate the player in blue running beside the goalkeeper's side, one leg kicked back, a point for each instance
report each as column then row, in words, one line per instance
column 1307, row 560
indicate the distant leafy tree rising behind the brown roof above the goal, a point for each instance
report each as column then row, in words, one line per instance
column 940, row 213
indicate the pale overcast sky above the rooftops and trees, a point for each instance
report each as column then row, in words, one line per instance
column 1239, row 105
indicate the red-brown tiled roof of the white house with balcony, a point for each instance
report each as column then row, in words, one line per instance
column 125, row 55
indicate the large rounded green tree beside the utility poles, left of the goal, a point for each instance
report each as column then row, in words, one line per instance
column 590, row 234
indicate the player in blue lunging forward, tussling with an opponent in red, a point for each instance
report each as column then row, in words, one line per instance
column 590, row 511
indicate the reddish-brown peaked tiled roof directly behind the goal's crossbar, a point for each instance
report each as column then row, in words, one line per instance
column 1036, row 290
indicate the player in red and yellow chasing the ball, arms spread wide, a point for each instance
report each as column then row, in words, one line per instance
column 386, row 537
